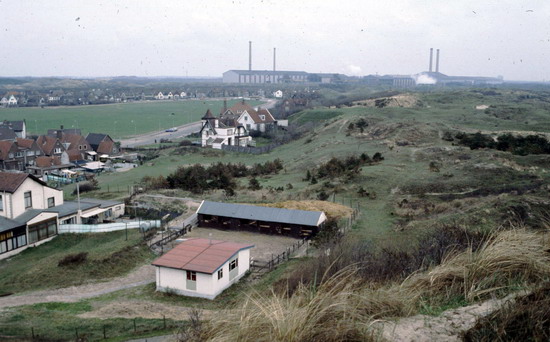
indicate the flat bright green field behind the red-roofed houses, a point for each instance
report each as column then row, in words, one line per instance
column 118, row 120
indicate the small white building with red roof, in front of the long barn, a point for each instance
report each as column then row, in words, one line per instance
column 202, row 267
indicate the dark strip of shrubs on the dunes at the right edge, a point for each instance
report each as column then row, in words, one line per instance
column 520, row 145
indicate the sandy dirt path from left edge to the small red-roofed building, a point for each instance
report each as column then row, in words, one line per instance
column 141, row 276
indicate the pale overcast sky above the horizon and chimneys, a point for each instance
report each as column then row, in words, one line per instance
column 207, row 37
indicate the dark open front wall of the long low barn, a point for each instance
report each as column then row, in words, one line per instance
column 264, row 227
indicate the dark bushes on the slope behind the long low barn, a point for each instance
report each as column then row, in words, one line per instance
column 197, row 178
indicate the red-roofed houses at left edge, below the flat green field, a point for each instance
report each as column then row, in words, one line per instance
column 57, row 149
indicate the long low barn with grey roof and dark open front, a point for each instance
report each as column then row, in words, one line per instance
column 289, row 222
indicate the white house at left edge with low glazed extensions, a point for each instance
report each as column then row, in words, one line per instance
column 31, row 212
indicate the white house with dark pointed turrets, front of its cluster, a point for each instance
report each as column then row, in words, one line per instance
column 215, row 133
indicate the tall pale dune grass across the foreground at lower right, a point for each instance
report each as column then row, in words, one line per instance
column 342, row 306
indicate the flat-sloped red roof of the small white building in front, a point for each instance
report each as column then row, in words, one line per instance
column 200, row 255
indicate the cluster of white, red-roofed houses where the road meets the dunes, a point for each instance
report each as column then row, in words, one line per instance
column 232, row 127
